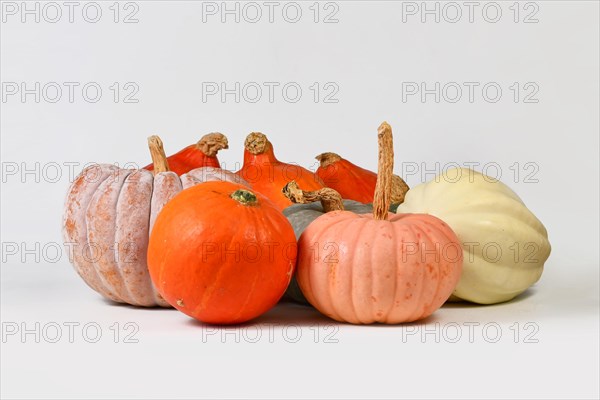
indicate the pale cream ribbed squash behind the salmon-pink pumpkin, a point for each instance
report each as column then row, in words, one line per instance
column 504, row 244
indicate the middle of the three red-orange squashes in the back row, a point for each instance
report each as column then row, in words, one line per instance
column 268, row 175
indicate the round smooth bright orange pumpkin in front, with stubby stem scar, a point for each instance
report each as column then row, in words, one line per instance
column 221, row 253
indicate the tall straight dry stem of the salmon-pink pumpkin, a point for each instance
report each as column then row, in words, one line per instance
column 385, row 172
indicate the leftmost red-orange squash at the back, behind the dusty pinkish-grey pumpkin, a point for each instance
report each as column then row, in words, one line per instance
column 201, row 154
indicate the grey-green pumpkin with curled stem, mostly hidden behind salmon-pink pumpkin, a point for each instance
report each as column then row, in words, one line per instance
column 311, row 206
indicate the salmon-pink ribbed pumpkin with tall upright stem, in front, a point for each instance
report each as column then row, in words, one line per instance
column 363, row 268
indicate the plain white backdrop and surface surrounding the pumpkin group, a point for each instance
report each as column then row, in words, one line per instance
column 368, row 54
